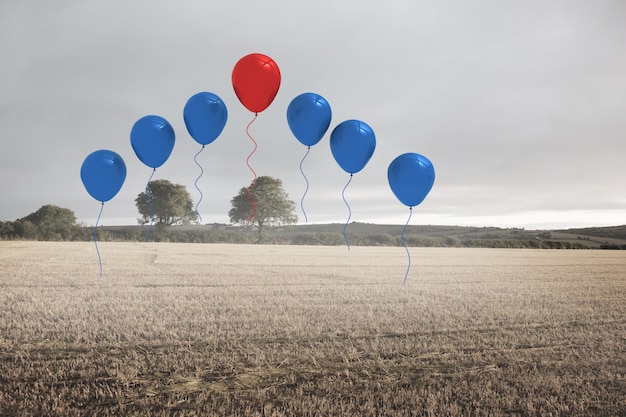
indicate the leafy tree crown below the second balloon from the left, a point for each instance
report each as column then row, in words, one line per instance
column 172, row 204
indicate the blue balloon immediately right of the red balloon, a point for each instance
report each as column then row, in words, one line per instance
column 309, row 116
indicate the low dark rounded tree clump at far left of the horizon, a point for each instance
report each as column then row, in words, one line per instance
column 51, row 223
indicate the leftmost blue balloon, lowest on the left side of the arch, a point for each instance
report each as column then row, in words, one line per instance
column 103, row 173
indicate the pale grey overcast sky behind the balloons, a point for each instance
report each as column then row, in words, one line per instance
column 520, row 106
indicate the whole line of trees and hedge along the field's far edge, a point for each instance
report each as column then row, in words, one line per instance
column 258, row 214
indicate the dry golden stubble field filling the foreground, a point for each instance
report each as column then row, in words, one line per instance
column 245, row 330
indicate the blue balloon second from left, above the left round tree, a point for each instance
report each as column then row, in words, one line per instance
column 152, row 139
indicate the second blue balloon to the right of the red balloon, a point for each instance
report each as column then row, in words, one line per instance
column 352, row 144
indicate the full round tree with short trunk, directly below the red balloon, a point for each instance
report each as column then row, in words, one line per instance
column 273, row 206
